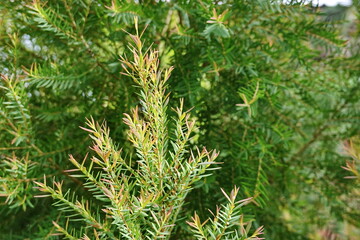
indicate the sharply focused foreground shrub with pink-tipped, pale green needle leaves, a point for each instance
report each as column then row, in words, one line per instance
column 141, row 197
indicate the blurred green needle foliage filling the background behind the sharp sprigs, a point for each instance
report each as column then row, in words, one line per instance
column 275, row 87
